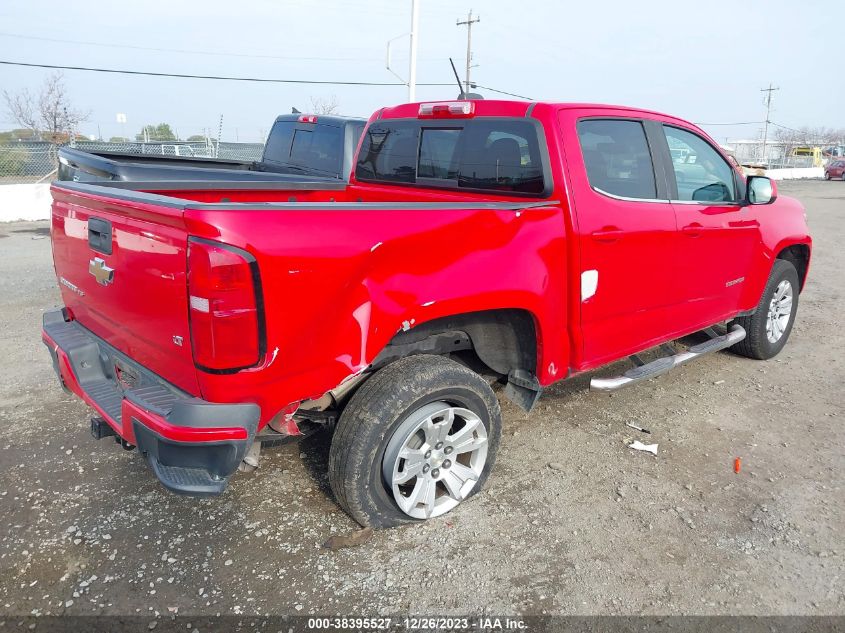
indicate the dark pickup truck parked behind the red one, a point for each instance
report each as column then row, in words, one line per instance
column 304, row 145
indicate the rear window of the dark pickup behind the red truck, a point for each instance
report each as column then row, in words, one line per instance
column 318, row 147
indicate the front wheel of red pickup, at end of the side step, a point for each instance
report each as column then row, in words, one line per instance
column 758, row 341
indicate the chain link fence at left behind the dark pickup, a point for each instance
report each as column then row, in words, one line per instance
column 36, row 161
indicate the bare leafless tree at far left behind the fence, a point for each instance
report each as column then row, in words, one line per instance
column 50, row 113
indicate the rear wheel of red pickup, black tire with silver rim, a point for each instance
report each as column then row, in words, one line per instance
column 372, row 430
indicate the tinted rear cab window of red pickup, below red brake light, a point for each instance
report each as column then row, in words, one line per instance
column 497, row 155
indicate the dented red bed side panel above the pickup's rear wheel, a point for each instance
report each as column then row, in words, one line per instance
column 338, row 285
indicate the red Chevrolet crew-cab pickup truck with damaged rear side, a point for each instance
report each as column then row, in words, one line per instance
column 477, row 242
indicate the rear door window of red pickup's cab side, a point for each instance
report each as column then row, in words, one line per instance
column 617, row 158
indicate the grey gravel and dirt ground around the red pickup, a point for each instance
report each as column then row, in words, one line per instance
column 572, row 521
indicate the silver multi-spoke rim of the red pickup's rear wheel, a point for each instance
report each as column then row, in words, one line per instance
column 434, row 459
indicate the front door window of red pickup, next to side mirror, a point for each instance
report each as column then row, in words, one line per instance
column 700, row 171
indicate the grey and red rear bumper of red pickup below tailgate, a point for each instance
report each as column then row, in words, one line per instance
column 192, row 446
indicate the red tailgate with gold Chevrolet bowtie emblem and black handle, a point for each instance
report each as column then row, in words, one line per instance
column 121, row 266
